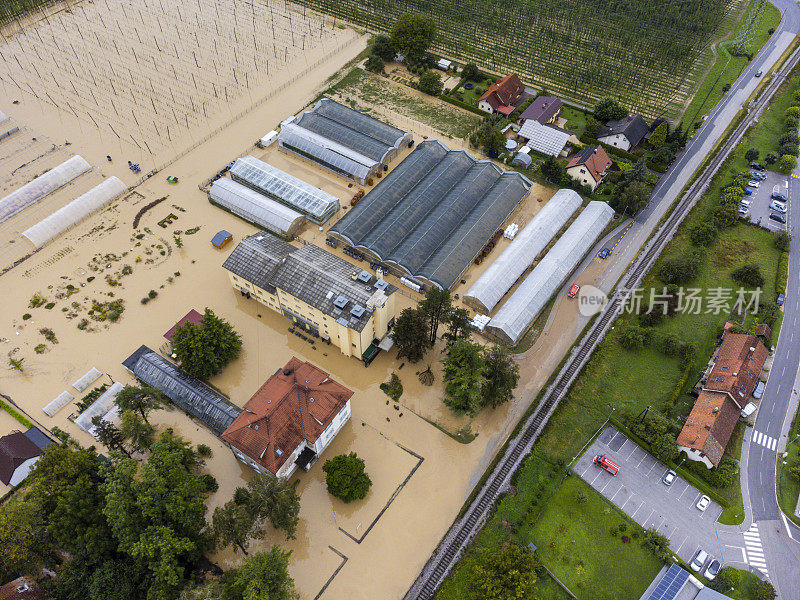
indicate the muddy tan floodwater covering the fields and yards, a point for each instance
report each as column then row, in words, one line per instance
column 230, row 77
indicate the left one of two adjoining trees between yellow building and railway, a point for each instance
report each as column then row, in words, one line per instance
column 463, row 377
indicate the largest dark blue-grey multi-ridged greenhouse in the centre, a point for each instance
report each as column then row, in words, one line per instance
column 433, row 214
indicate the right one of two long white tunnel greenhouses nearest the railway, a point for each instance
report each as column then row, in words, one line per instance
column 521, row 309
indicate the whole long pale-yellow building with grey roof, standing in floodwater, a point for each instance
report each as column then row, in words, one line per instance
column 321, row 293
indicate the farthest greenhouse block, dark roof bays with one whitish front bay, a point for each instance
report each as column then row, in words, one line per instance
column 343, row 140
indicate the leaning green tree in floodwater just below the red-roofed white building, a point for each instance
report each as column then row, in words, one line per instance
column 273, row 498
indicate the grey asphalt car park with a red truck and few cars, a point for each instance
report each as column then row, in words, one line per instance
column 639, row 492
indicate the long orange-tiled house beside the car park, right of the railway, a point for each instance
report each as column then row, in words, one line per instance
column 729, row 381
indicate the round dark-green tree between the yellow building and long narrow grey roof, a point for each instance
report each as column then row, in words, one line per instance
column 204, row 350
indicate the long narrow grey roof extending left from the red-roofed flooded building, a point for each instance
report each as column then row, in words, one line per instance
column 190, row 394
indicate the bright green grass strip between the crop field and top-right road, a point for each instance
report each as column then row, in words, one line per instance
column 727, row 68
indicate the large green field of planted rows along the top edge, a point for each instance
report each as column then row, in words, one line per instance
column 645, row 54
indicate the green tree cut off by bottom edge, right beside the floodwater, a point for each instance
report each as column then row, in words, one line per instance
column 262, row 576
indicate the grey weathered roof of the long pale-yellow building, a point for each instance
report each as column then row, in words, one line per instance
column 310, row 274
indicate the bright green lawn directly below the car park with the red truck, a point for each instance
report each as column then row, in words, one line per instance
column 575, row 543
